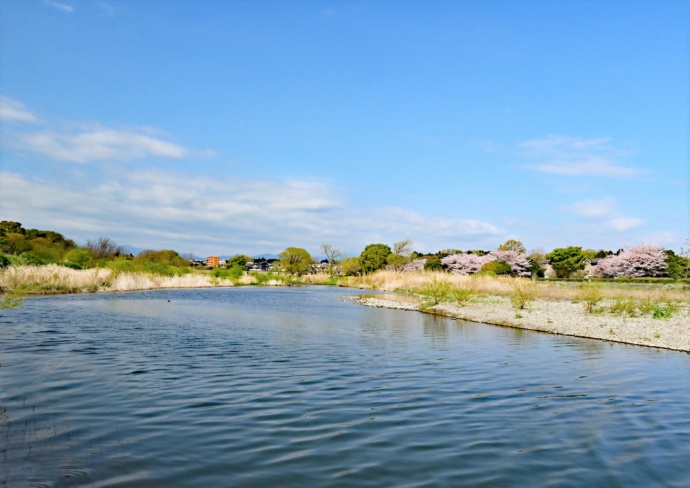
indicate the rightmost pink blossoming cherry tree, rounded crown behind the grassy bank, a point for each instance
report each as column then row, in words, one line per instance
column 636, row 262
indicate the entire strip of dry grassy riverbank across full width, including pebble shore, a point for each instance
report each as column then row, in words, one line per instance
column 651, row 314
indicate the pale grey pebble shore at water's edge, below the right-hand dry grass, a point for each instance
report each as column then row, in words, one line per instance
column 557, row 317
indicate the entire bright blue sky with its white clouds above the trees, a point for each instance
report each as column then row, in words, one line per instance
column 226, row 127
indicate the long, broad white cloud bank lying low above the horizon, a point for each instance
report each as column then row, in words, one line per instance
column 205, row 215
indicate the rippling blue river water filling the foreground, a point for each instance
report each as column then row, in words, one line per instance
column 296, row 387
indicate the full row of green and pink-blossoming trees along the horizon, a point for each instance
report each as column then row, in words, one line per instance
column 35, row 247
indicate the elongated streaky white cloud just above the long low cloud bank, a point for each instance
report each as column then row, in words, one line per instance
column 99, row 144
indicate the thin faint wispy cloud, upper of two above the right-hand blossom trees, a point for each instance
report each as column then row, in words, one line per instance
column 572, row 156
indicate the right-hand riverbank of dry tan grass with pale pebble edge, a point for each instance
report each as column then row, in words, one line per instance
column 650, row 315
